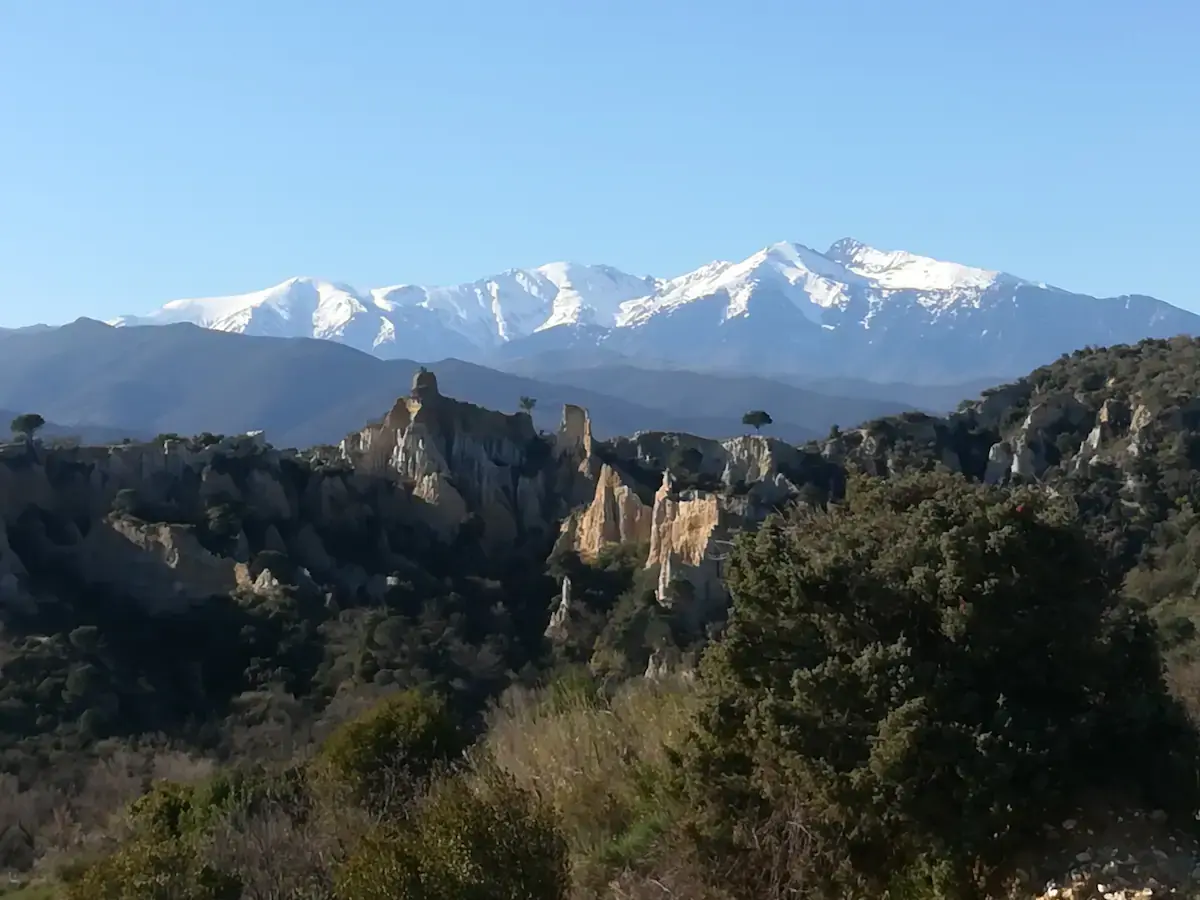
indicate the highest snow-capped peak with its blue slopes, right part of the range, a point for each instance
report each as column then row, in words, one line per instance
column 856, row 311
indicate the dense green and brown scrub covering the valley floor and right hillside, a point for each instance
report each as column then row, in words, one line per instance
column 911, row 685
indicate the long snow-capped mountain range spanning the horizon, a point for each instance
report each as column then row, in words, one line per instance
column 853, row 310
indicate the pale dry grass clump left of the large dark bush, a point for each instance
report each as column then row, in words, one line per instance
column 603, row 764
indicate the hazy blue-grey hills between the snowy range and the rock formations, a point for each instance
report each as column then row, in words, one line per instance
column 188, row 380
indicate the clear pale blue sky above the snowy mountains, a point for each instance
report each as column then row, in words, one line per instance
column 152, row 151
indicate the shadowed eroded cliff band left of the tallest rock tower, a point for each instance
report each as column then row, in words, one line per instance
column 166, row 524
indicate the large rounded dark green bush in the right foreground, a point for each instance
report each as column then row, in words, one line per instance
column 932, row 671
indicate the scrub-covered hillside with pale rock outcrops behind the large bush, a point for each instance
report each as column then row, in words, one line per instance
column 1117, row 429
